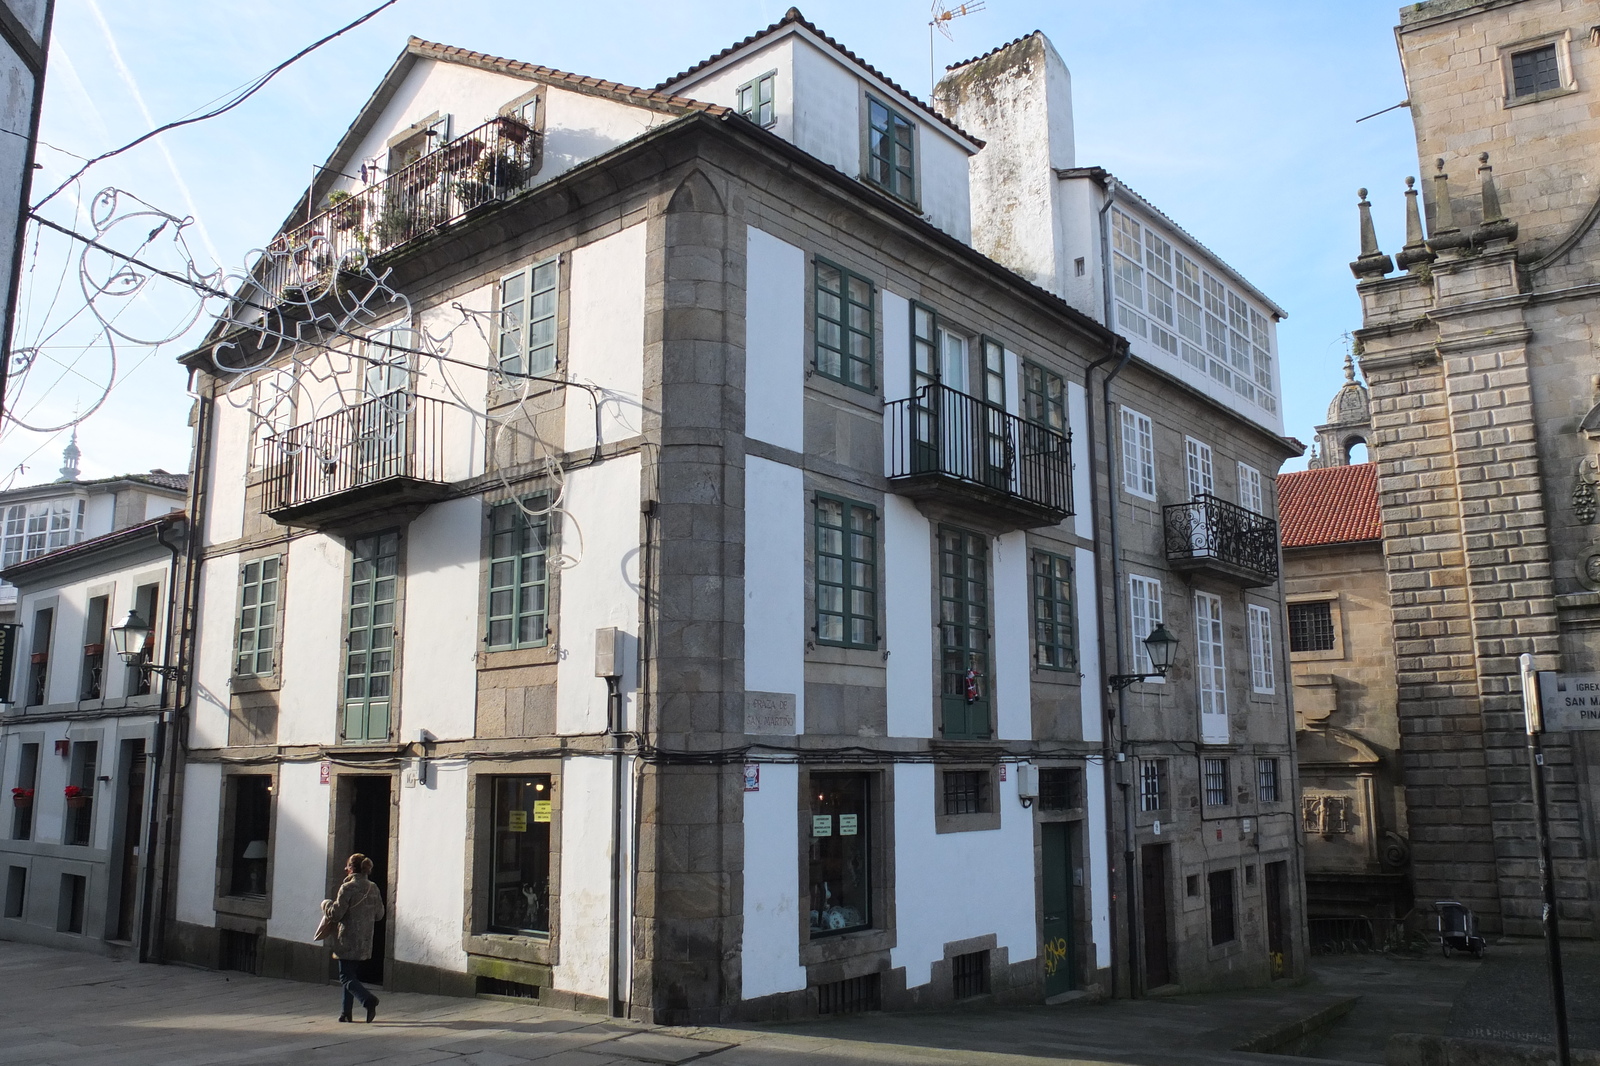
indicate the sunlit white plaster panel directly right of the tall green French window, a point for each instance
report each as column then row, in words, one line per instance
column 441, row 644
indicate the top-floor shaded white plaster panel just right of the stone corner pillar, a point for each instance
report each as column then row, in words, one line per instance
column 774, row 342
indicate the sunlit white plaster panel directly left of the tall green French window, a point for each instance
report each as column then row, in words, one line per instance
column 314, row 587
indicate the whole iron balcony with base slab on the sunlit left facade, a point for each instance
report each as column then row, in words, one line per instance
column 388, row 452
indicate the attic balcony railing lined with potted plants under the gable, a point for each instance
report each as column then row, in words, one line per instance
column 494, row 162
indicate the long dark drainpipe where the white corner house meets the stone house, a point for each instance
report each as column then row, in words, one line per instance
column 1129, row 873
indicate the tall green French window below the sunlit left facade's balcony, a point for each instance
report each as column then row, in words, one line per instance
column 372, row 652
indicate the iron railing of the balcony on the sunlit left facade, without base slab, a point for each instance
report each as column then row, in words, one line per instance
column 396, row 438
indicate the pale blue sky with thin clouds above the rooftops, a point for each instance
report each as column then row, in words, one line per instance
column 1238, row 118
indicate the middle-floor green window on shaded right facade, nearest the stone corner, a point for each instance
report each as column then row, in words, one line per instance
column 847, row 574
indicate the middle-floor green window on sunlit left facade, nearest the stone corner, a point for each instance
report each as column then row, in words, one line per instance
column 519, row 604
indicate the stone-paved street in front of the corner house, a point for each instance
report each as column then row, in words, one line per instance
column 71, row 1009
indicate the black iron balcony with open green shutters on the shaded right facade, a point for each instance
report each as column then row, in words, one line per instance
column 948, row 446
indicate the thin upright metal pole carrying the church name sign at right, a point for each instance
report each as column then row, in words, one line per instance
column 1569, row 700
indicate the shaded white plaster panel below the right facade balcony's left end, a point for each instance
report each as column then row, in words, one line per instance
column 908, row 583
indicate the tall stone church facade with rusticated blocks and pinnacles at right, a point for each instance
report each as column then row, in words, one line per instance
column 1481, row 359
